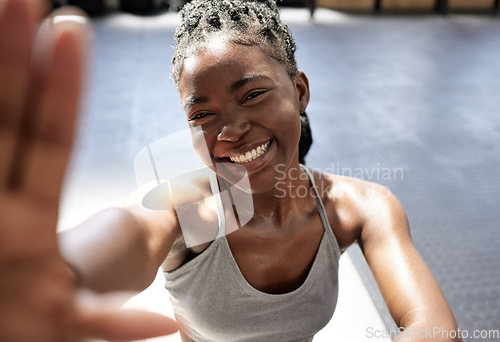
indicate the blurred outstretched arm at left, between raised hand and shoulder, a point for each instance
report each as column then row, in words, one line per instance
column 120, row 248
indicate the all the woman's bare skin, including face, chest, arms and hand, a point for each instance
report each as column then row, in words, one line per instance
column 127, row 245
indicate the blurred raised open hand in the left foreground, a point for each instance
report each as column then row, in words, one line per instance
column 40, row 83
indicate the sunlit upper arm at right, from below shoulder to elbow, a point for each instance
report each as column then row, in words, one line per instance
column 406, row 283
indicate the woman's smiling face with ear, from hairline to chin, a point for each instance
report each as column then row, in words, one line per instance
column 244, row 107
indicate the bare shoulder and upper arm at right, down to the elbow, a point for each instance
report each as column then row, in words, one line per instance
column 370, row 214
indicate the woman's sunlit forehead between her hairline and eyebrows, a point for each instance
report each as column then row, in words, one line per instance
column 220, row 61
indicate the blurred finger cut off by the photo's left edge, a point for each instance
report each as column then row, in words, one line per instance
column 17, row 25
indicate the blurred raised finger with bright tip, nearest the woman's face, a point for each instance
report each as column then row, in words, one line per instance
column 48, row 134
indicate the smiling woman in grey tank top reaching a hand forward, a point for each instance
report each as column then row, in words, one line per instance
column 272, row 279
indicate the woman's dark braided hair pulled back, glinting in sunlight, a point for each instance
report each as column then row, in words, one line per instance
column 244, row 22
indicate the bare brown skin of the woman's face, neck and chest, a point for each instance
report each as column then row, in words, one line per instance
column 273, row 250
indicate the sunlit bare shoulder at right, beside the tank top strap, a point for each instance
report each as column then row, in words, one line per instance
column 357, row 208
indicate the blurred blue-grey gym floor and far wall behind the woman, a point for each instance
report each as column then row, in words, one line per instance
column 403, row 92
